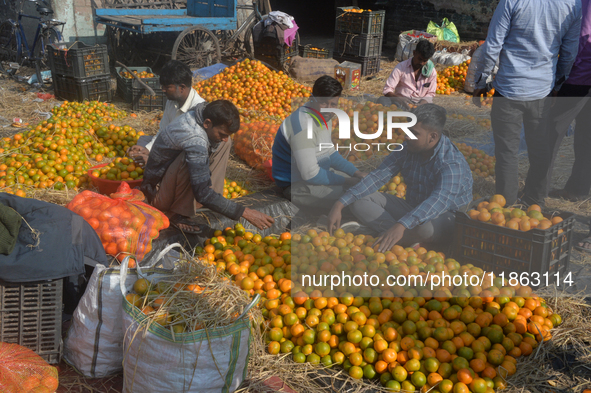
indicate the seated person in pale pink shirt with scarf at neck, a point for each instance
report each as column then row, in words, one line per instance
column 413, row 81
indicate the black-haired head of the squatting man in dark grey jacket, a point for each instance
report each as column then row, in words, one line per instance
column 220, row 120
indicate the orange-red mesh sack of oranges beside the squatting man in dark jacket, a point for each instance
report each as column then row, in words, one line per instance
column 125, row 224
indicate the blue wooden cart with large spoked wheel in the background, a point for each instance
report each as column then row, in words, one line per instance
column 199, row 34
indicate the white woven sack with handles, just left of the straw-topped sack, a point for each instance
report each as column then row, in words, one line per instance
column 93, row 345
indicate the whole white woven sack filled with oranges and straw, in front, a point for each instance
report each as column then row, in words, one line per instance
column 186, row 332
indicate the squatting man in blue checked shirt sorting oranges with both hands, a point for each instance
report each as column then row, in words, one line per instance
column 439, row 182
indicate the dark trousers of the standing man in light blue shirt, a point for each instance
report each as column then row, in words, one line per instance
column 507, row 118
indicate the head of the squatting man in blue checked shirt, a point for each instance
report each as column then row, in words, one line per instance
column 428, row 130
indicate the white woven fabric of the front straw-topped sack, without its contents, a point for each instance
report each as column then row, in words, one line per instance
column 205, row 361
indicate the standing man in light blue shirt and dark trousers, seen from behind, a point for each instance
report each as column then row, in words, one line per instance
column 536, row 42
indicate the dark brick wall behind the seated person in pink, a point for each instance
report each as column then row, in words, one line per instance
column 471, row 17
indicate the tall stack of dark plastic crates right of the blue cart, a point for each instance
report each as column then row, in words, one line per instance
column 358, row 38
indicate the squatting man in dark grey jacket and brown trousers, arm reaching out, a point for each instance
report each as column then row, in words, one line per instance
column 178, row 175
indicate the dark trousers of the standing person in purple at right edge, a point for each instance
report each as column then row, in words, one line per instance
column 573, row 103
